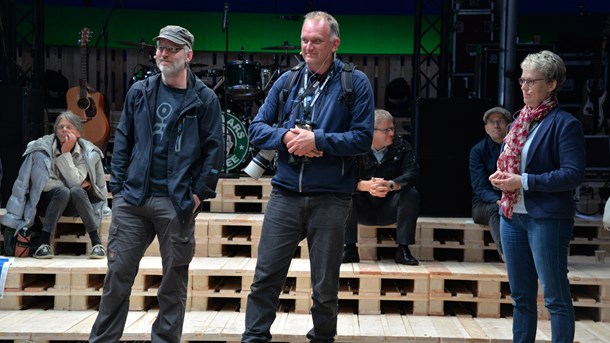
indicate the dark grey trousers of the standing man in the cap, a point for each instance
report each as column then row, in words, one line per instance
column 132, row 230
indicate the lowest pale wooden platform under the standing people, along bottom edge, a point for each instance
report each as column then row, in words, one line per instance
column 228, row 326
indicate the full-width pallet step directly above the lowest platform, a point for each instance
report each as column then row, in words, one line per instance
column 369, row 287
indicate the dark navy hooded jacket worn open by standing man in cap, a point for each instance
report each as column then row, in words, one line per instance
column 195, row 146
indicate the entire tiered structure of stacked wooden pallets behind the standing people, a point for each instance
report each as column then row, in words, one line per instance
column 458, row 289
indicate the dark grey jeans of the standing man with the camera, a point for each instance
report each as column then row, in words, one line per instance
column 289, row 218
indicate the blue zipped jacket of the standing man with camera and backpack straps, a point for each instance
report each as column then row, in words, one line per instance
column 341, row 135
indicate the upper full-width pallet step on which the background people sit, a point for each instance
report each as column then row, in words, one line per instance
column 436, row 239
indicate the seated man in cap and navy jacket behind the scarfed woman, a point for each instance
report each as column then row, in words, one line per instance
column 483, row 157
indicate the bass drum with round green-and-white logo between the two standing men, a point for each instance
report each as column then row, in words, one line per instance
column 237, row 147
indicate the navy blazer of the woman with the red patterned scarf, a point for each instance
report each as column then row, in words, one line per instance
column 555, row 166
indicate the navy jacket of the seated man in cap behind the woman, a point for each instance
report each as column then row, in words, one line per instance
column 482, row 163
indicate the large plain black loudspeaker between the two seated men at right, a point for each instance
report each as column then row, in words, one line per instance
column 445, row 131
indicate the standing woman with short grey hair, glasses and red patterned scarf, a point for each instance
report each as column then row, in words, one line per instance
column 541, row 165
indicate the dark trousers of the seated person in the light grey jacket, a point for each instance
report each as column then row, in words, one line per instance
column 64, row 201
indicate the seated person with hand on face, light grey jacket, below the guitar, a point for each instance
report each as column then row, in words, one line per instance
column 62, row 174
